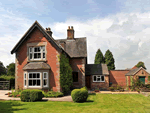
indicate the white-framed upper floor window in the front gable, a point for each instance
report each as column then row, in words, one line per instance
column 37, row 53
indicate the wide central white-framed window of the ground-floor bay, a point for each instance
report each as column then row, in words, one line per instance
column 34, row 79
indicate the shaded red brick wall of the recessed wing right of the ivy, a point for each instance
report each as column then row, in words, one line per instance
column 76, row 64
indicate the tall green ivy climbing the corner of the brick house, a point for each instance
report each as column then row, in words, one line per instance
column 66, row 79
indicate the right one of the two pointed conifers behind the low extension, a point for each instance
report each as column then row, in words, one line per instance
column 109, row 60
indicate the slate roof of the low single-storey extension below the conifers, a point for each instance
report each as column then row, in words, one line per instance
column 96, row 69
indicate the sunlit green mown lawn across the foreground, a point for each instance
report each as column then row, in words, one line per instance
column 105, row 103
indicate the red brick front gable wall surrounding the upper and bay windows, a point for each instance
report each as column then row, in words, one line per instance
column 52, row 60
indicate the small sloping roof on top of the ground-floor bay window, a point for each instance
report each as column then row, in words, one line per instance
column 36, row 65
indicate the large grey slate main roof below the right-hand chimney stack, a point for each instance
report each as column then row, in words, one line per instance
column 75, row 48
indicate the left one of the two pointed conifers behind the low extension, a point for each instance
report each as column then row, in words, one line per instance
column 99, row 58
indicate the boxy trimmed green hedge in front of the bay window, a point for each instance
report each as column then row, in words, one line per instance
column 31, row 95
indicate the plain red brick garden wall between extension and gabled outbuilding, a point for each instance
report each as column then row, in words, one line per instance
column 118, row 77
